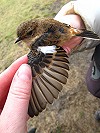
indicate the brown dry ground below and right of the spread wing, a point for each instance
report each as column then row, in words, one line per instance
column 73, row 111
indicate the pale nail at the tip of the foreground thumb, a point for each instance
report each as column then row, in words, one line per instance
column 24, row 72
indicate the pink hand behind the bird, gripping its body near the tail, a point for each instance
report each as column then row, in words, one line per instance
column 75, row 21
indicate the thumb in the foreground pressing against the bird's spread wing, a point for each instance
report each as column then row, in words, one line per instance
column 16, row 106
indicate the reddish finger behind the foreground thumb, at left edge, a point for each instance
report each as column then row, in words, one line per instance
column 7, row 76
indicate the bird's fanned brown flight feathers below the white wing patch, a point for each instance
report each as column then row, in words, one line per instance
column 49, row 72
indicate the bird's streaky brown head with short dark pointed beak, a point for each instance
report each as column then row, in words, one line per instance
column 27, row 32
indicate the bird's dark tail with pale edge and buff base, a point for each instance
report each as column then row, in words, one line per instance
column 85, row 34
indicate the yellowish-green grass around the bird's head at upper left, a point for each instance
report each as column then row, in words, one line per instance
column 12, row 13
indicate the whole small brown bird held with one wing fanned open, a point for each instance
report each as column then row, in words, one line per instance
column 48, row 61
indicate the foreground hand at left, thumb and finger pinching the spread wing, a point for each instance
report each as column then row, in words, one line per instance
column 15, row 89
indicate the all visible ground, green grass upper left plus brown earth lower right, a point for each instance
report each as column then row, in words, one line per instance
column 73, row 111
